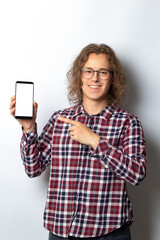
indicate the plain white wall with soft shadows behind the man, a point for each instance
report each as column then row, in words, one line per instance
column 39, row 39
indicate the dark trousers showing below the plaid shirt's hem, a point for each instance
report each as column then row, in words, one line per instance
column 122, row 233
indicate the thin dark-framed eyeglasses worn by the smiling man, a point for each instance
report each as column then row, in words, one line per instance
column 103, row 74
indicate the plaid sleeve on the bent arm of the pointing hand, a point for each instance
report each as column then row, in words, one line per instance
column 129, row 160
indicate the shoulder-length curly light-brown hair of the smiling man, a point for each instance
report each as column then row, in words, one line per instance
column 117, row 89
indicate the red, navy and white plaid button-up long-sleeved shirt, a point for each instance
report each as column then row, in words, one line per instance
column 87, row 193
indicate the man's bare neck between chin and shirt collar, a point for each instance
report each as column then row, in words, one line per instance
column 94, row 107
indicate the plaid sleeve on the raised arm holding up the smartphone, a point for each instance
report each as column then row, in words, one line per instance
column 36, row 151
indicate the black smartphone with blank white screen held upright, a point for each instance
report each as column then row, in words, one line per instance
column 24, row 92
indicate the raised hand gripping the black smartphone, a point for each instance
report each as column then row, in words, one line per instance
column 27, row 124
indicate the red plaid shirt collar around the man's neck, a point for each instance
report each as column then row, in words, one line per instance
column 105, row 113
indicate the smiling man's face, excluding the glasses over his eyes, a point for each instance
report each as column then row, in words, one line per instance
column 95, row 89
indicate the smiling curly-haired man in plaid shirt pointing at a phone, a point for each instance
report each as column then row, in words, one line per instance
column 93, row 148
